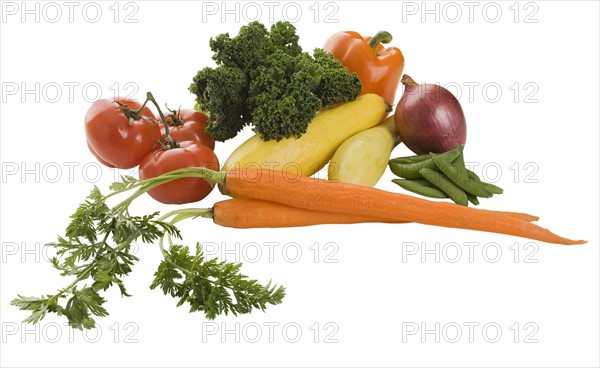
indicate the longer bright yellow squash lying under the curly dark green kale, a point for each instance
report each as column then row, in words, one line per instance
column 311, row 152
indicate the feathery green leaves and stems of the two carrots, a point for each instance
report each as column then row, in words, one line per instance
column 97, row 250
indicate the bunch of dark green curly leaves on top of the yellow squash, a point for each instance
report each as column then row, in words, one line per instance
column 264, row 79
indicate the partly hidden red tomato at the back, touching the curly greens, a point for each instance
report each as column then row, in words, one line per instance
column 194, row 123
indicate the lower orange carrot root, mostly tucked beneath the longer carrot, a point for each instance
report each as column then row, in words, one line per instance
column 254, row 213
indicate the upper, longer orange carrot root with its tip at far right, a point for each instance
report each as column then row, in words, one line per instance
column 323, row 195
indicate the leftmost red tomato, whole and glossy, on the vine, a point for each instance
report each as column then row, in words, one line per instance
column 111, row 137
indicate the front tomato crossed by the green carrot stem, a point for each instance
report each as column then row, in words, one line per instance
column 185, row 190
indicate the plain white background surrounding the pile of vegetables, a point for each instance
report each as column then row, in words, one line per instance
column 538, row 139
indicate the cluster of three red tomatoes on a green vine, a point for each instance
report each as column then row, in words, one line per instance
column 124, row 134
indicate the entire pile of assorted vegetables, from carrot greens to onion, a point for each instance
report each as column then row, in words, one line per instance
column 306, row 110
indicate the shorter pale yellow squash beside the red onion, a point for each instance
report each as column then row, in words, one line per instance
column 363, row 158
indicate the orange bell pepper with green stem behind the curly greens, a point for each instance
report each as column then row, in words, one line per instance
column 379, row 69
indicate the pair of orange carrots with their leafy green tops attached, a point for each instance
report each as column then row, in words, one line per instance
column 97, row 246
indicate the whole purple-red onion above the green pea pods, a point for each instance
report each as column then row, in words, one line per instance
column 429, row 118
